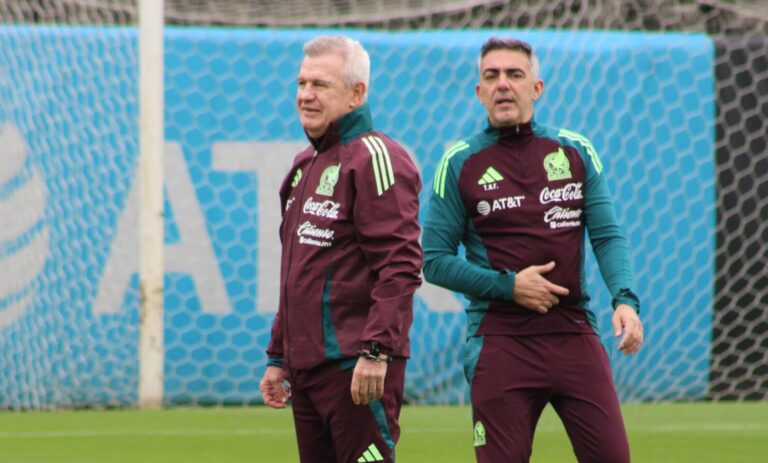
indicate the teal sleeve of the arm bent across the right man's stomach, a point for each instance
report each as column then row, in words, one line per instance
column 447, row 224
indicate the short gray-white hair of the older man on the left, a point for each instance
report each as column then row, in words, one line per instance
column 357, row 63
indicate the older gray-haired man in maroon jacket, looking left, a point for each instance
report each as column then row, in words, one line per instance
column 351, row 262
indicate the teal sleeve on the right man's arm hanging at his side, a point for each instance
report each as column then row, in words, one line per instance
column 607, row 240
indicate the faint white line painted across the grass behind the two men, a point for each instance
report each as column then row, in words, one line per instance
column 714, row 427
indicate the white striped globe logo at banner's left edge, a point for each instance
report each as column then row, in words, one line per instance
column 24, row 234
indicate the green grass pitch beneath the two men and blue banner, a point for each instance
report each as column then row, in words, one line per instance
column 686, row 432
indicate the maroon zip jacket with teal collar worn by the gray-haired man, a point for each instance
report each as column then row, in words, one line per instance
column 351, row 259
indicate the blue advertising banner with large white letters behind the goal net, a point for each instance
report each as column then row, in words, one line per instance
column 69, row 201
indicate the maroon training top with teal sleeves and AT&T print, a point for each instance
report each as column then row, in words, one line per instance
column 521, row 196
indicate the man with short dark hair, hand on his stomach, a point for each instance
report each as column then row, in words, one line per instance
column 520, row 197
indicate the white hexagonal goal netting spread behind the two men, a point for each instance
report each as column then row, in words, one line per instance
column 678, row 118
